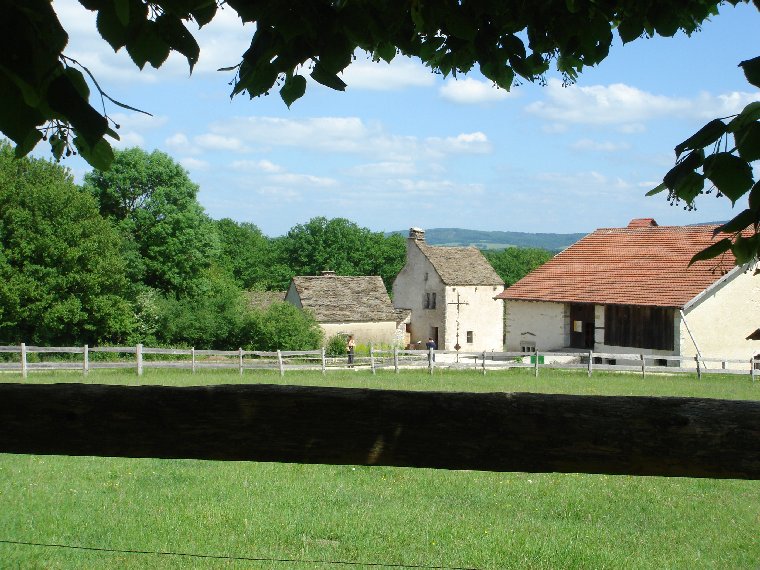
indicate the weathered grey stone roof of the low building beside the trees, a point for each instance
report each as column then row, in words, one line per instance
column 337, row 298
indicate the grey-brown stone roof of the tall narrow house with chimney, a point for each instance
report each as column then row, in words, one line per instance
column 461, row 265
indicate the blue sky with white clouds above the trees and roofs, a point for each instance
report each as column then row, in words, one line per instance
column 404, row 147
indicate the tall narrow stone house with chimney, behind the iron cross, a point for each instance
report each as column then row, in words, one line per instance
column 450, row 292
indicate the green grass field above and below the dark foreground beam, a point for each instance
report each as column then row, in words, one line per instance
column 258, row 515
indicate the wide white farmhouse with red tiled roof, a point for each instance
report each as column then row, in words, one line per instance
column 631, row 290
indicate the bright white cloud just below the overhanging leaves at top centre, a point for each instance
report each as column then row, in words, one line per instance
column 381, row 76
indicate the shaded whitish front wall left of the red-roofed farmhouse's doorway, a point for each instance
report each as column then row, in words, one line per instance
column 541, row 322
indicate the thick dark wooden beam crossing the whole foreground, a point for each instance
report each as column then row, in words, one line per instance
column 687, row 437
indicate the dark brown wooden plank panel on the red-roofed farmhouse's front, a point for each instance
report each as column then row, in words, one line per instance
column 640, row 327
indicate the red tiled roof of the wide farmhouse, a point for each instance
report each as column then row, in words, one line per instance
column 643, row 264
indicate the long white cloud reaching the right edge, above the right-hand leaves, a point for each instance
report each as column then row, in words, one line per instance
column 628, row 106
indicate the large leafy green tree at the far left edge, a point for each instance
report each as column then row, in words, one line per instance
column 61, row 273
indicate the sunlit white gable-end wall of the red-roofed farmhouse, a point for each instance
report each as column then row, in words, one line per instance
column 722, row 319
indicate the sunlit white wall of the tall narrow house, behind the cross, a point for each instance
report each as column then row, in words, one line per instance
column 478, row 312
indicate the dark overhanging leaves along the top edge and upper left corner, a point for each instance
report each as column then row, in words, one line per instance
column 46, row 95
